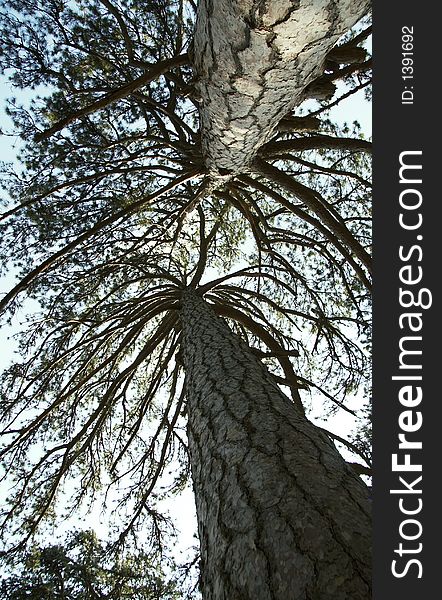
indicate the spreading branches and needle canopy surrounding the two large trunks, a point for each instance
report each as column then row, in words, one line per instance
column 116, row 211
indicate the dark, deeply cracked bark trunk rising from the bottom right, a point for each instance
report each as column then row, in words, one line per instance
column 280, row 514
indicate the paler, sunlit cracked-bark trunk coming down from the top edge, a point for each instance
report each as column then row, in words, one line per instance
column 253, row 60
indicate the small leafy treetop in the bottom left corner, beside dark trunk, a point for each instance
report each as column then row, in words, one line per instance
column 84, row 568
